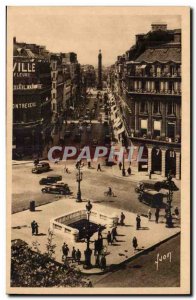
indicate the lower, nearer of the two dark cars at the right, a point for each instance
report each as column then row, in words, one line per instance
column 152, row 198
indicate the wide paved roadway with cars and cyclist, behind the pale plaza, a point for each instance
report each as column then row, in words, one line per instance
column 26, row 187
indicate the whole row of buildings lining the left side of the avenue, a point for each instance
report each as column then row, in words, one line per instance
column 45, row 87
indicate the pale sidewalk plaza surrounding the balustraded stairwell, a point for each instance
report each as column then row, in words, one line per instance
column 149, row 235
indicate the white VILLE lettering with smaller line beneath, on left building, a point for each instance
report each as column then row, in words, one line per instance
column 23, row 69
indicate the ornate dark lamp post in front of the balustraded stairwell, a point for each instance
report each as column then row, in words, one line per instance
column 88, row 251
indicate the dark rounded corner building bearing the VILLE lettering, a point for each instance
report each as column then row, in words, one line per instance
column 31, row 99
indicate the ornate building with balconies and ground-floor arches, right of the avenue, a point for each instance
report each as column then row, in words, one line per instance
column 146, row 82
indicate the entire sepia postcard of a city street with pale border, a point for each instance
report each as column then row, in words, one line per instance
column 98, row 150
